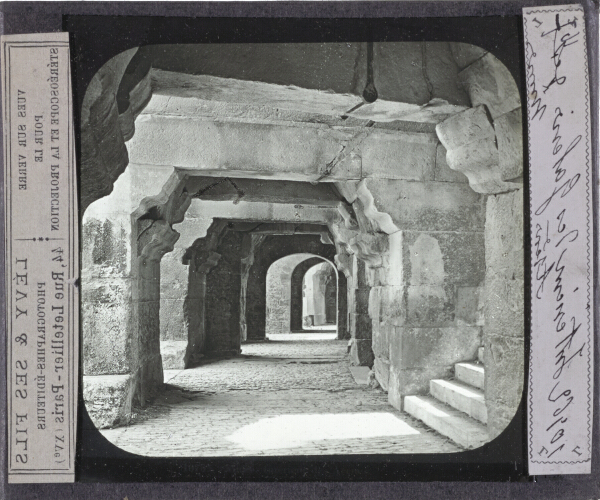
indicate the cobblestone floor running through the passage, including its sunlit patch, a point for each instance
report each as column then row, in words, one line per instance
column 293, row 395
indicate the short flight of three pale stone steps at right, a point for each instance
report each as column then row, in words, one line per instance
column 455, row 408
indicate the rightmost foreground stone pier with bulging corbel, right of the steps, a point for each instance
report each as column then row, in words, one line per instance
column 486, row 143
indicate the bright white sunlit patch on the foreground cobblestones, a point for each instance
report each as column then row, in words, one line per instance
column 291, row 431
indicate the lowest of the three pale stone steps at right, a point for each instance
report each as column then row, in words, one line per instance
column 452, row 423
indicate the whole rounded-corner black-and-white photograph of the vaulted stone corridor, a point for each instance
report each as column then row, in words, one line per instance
column 292, row 262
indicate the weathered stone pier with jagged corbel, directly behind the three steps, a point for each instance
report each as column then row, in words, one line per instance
column 423, row 248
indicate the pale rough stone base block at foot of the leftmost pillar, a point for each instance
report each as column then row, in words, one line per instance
column 108, row 399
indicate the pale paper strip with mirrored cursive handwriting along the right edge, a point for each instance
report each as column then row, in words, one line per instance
column 560, row 392
